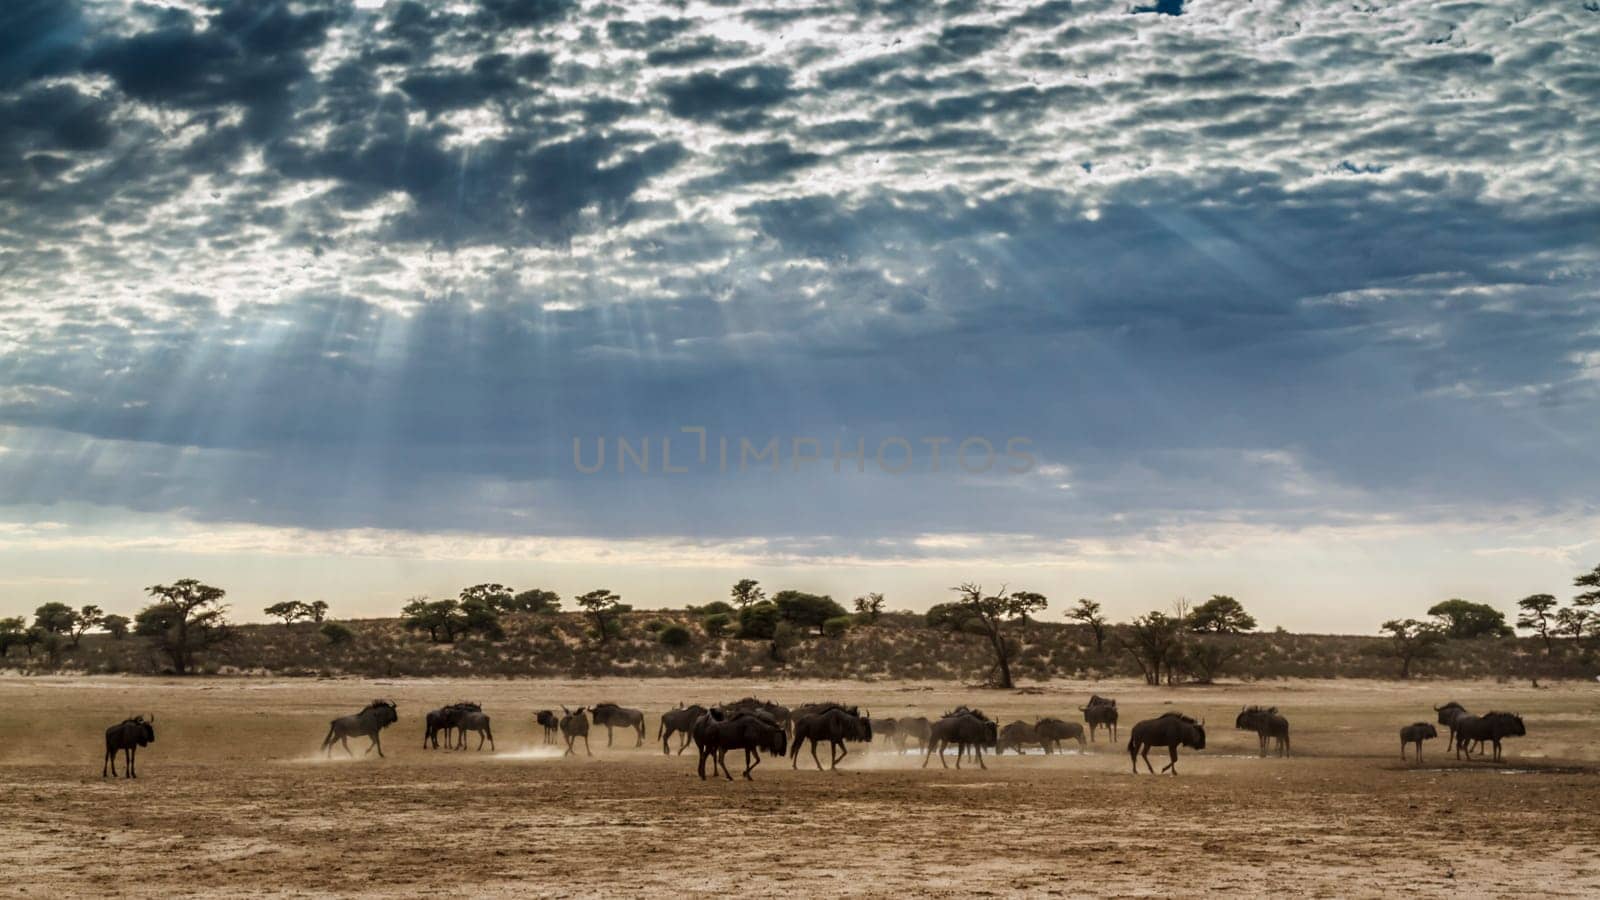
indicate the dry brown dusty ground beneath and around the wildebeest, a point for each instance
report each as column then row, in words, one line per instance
column 234, row 800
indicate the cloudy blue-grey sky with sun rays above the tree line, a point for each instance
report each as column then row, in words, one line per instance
column 1297, row 302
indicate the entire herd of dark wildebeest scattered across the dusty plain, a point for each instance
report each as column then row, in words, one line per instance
column 762, row 726
